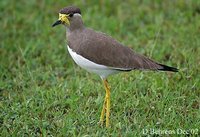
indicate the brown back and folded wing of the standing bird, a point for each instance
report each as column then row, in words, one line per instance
column 102, row 49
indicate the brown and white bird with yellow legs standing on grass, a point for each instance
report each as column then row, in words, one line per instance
column 101, row 54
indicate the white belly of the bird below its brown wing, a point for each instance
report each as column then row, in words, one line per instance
column 101, row 70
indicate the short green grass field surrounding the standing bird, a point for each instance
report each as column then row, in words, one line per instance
column 44, row 93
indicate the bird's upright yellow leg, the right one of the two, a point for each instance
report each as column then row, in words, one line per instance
column 107, row 88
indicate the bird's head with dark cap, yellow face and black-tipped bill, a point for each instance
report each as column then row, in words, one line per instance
column 66, row 15
